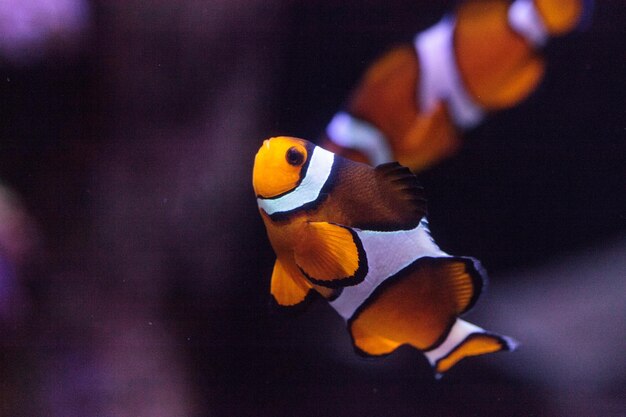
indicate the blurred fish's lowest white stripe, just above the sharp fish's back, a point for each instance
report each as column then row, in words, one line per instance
column 350, row 132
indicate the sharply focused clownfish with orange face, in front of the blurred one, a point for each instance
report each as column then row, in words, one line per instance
column 359, row 237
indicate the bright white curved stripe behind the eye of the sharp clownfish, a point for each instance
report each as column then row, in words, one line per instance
column 308, row 190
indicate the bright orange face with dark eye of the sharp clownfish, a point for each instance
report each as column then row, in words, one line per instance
column 278, row 165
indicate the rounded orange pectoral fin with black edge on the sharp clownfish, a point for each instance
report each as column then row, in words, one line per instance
column 331, row 255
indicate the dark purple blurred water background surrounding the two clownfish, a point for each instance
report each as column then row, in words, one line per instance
column 142, row 284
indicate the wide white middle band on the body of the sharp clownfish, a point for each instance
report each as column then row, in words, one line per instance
column 407, row 246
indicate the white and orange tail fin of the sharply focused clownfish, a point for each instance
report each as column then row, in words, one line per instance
column 465, row 339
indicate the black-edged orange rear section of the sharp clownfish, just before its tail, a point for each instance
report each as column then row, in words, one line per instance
column 417, row 306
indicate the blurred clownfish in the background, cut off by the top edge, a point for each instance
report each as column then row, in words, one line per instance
column 413, row 102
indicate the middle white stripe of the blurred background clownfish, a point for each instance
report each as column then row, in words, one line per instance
column 440, row 79
